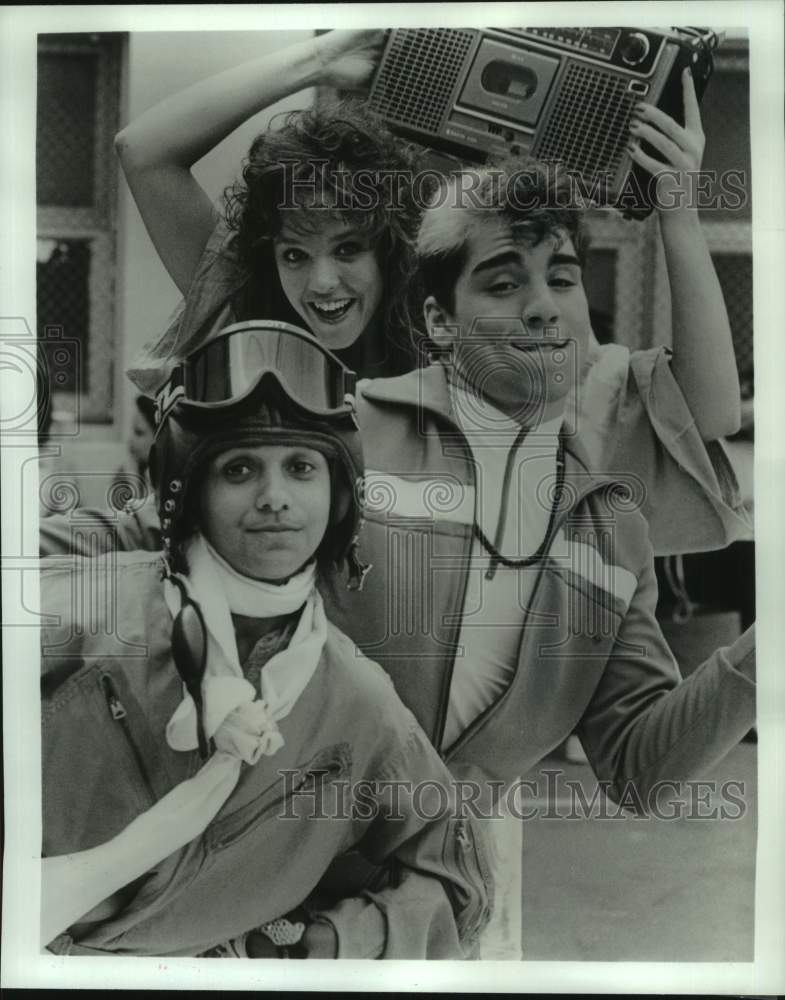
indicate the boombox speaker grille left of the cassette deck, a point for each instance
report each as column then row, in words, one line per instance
column 418, row 75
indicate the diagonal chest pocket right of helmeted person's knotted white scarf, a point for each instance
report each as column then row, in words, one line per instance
column 327, row 765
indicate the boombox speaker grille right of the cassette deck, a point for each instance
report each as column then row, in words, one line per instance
column 589, row 124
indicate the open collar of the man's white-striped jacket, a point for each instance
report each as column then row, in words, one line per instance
column 427, row 389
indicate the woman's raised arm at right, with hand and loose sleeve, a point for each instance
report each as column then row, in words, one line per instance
column 659, row 416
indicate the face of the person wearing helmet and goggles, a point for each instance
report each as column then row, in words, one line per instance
column 265, row 508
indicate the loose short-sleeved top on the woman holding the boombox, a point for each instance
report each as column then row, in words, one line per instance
column 632, row 417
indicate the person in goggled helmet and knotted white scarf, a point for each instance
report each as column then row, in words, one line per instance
column 211, row 744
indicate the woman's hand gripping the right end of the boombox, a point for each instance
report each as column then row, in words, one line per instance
column 681, row 148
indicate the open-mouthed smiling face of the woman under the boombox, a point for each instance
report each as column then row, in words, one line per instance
column 330, row 274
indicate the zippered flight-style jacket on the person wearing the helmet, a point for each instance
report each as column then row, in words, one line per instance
column 109, row 687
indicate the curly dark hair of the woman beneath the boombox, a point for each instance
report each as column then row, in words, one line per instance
column 344, row 153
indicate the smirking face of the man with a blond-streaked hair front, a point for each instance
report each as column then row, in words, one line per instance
column 520, row 322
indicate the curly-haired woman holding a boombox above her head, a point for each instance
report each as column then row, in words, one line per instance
column 348, row 273
